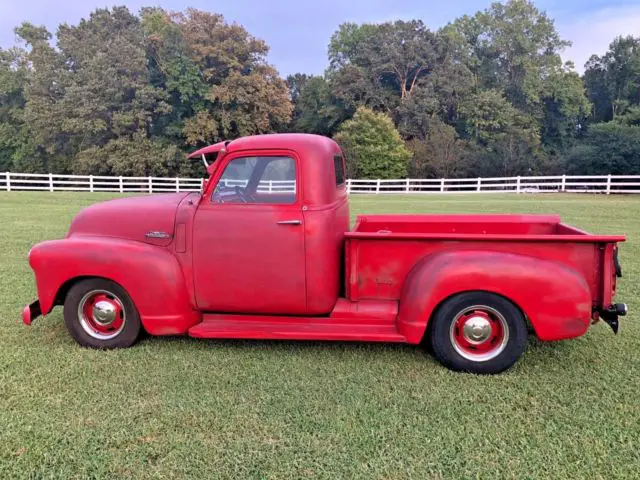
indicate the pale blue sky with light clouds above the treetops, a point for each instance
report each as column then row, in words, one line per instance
column 298, row 31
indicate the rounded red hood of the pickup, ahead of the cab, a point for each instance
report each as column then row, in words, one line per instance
column 148, row 219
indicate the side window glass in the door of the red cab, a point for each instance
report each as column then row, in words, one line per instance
column 262, row 180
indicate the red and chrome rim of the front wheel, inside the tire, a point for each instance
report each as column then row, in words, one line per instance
column 101, row 314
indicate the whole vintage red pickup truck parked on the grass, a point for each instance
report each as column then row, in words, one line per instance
column 266, row 252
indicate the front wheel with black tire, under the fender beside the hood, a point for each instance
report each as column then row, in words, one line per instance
column 84, row 330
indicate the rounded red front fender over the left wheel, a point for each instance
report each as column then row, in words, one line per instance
column 151, row 275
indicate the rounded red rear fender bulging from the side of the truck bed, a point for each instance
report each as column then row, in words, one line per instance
column 555, row 298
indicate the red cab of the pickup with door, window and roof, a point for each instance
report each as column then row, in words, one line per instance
column 270, row 226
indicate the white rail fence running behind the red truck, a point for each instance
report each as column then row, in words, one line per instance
column 607, row 184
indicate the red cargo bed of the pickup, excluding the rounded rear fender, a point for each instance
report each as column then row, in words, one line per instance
column 382, row 249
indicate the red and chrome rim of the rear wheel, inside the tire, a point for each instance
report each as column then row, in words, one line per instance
column 479, row 333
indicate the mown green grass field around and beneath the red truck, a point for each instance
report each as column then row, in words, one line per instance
column 178, row 407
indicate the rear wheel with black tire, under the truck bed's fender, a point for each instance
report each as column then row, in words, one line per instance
column 506, row 334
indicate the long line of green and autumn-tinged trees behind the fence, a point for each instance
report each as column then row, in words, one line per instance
column 486, row 95
